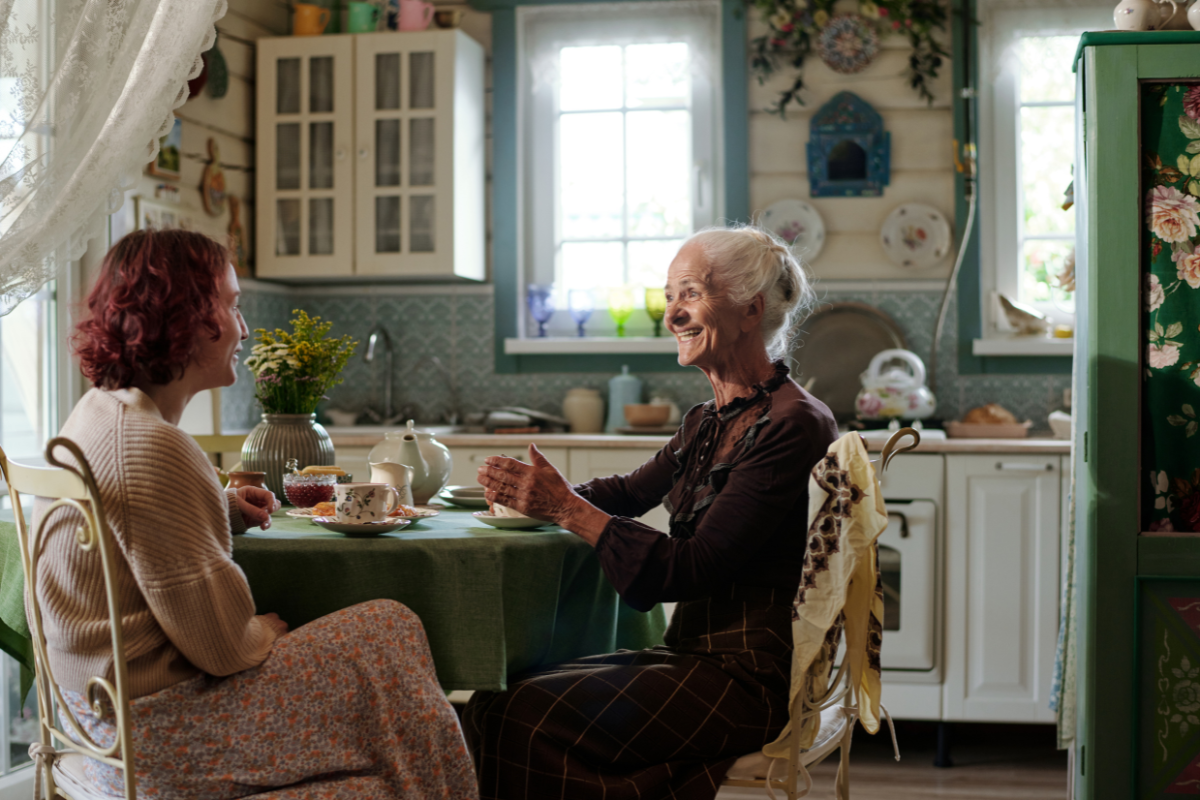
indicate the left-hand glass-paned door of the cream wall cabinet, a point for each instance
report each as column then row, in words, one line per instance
column 304, row 215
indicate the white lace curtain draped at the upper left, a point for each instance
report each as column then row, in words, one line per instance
column 87, row 89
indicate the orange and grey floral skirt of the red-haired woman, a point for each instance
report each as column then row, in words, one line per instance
column 346, row 708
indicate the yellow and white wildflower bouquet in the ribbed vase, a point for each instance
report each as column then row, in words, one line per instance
column 293, row 371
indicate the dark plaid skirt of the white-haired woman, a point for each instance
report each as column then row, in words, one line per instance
column 667, row 723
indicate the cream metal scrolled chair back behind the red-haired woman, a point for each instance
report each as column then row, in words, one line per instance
column 71, row 488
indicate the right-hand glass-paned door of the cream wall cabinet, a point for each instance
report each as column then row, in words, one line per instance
column 401, row 123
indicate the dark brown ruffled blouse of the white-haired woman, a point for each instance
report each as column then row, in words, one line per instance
column 736, row 483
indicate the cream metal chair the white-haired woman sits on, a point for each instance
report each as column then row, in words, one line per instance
column 838, row 711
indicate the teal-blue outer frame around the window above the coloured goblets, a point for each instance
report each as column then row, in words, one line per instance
column 508, row 195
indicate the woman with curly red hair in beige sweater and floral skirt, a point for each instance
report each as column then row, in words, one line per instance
column 226, row 703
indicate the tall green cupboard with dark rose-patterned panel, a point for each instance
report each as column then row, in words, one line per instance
column 1137, row 448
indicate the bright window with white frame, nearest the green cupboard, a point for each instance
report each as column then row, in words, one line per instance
column 1028, row 137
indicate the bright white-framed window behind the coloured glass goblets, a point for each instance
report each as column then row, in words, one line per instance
column 620, row 149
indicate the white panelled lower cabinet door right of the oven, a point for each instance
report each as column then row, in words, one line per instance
column 1003, row 587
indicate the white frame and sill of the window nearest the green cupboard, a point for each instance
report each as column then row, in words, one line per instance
column 1000, row 260
